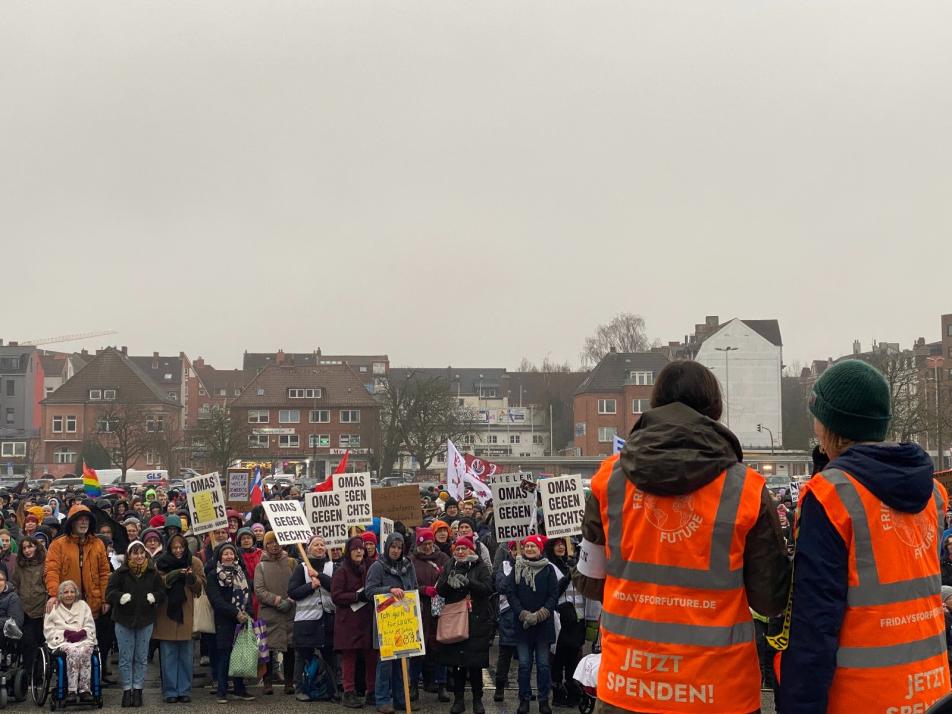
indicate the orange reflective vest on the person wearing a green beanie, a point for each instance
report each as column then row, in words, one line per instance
column 892, row 655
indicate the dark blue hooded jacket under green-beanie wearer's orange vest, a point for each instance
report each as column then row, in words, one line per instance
column 901, row 477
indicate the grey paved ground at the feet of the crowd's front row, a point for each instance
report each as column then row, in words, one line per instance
column 203, row 700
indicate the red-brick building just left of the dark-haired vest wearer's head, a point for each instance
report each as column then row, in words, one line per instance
column 612, row 399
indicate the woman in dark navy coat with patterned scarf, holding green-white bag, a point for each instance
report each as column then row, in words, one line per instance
column 230, row 595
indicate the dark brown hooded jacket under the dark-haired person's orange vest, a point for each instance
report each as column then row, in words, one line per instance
column 674, row 450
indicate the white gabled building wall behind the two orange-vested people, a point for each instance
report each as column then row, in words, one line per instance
column 747, row 358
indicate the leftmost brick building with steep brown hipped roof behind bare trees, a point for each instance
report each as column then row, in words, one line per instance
column 75, row 411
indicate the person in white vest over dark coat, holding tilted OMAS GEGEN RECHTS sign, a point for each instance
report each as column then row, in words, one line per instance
column 308, row 587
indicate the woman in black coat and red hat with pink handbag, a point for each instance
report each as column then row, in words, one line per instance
column 468, row 578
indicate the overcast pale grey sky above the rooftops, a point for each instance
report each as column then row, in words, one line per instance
column 469, row 183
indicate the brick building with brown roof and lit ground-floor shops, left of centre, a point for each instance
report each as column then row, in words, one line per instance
column 304, row 418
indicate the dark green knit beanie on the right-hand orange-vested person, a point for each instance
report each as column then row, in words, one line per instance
column 851, row 399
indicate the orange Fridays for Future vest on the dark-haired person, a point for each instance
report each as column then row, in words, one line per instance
column 677, row 635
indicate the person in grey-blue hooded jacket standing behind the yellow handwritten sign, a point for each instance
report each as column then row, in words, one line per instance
column 390, row 574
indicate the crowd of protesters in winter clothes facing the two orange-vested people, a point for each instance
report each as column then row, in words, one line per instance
column 125, row 573
